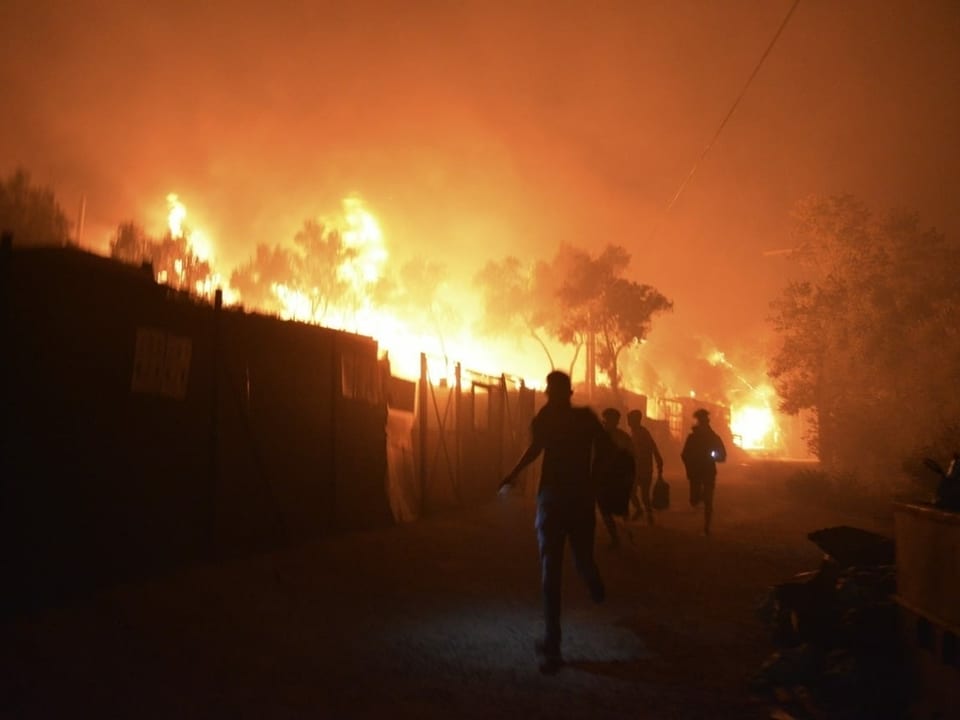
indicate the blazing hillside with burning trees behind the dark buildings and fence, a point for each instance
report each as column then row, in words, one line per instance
column 339, row 271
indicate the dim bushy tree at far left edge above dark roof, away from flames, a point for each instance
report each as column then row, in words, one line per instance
column 31, row 213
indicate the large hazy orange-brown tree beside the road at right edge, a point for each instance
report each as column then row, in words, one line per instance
column 867, row 334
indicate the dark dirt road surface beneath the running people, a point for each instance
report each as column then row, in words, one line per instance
column 435, row 619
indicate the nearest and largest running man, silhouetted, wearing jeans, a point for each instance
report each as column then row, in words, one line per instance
column 567, row 437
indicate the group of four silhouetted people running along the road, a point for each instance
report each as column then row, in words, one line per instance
column 583, row 458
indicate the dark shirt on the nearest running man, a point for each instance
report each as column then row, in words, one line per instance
column 567, row 435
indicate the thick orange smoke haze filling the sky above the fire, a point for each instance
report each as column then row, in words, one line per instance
column 476, row 129
